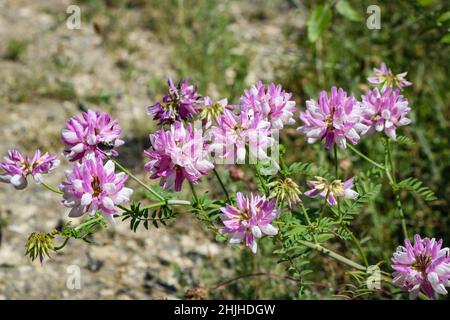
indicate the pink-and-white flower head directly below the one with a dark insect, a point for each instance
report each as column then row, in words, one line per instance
column 92, row 186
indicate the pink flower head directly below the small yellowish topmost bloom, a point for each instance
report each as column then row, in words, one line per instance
column 384, row 111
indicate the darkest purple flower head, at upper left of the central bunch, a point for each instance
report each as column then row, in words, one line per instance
column 180, row 103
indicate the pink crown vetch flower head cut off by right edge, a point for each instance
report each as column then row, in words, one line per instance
column 424, row 266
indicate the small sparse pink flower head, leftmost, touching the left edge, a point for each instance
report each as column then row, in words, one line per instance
column 18, row 167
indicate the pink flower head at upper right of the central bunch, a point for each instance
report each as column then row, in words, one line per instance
column 274, row 103
